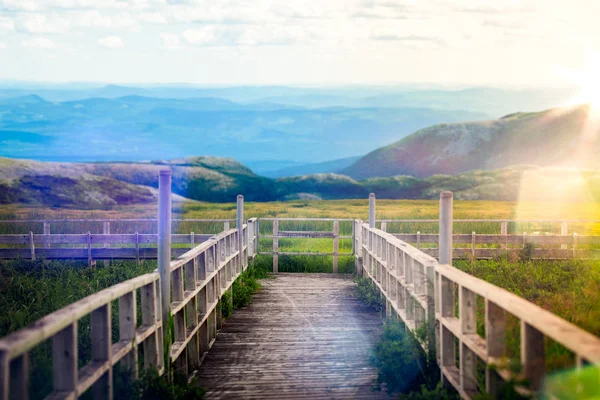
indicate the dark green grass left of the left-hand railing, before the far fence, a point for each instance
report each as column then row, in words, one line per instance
column 30, row 290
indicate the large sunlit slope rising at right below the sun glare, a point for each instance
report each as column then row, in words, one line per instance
column 556, row 137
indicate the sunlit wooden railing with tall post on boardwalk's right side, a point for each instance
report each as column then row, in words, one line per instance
column 418, row 289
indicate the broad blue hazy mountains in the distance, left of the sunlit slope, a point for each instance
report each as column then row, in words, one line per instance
column 135, row 128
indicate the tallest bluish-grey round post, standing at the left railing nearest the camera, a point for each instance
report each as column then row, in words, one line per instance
column 164, row 242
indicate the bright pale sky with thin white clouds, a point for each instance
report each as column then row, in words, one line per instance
column 297, row 42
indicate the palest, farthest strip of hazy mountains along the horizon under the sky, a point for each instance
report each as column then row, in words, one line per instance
column 487, row 100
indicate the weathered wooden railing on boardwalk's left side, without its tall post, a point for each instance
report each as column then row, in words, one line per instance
column 198, row 279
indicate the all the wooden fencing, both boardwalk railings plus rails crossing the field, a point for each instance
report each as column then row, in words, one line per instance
column 418, row 289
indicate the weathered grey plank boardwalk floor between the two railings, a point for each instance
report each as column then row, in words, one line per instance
column 305, row 336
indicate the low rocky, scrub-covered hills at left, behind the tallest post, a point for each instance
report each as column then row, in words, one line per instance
column 98, row 185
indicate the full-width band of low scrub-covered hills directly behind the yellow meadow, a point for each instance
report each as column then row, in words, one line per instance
column 103, row 186
